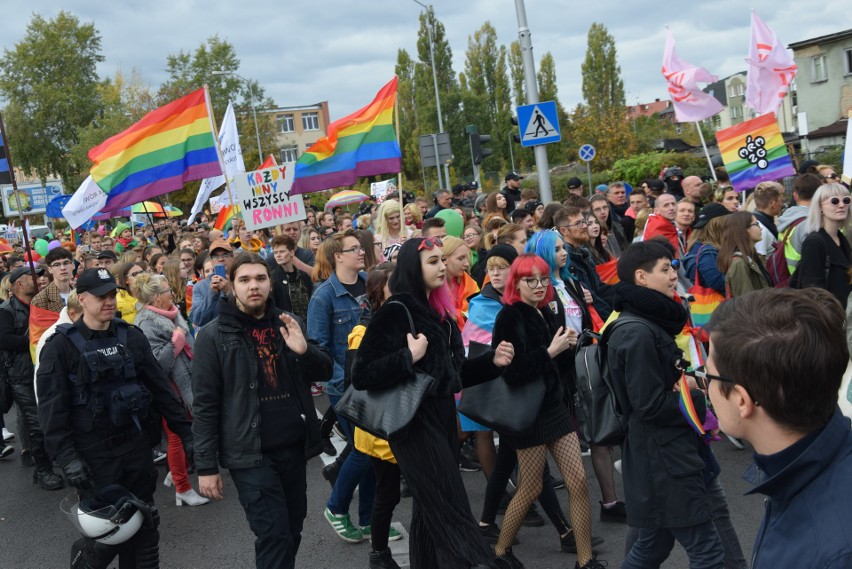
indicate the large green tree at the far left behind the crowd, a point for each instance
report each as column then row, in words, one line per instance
column 51, row 84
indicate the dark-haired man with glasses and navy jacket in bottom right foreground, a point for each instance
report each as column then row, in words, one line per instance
column 775, row 366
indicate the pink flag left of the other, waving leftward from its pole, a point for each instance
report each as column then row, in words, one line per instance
column 690, row 102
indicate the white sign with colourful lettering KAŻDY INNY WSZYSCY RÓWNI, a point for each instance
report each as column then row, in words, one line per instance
column 264, row 197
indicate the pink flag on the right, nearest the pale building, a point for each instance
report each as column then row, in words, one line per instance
column 770, row 69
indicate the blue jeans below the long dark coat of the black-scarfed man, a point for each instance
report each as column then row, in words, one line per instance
column 653, row 546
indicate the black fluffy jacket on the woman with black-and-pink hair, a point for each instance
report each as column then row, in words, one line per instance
column 384, row 358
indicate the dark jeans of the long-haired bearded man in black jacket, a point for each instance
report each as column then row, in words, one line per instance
column 274, row 497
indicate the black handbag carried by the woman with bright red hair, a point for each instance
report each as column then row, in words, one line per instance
column 508, row 409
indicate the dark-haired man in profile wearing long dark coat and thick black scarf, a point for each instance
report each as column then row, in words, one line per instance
column 662, row 462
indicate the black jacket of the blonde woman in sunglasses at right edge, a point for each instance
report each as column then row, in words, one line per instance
column 820, row 252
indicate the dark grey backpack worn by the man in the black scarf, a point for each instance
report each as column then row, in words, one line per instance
column 600, row 414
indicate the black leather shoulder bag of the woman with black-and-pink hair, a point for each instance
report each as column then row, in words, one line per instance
column 385, row 413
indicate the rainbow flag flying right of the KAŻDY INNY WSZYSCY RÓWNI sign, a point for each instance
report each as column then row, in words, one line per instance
column 361, row 144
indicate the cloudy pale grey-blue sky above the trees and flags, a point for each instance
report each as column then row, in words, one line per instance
column 343, row 51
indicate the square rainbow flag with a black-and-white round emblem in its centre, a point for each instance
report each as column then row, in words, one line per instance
column 754, row 151
